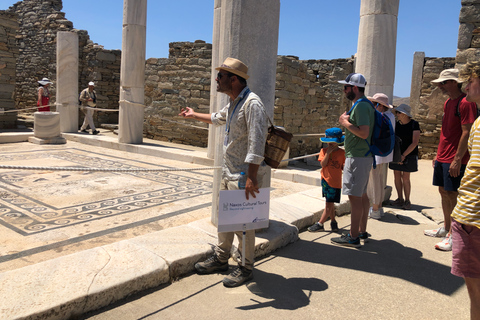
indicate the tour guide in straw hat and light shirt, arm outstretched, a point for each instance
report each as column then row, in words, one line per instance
column 245, row 121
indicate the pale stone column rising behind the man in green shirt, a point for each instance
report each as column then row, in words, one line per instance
column 377, row 40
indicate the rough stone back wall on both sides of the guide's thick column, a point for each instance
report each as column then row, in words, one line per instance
column 308, row 98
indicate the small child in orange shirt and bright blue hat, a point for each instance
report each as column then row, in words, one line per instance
column 332, row 159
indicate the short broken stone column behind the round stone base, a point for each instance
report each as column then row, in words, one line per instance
column 67, row 80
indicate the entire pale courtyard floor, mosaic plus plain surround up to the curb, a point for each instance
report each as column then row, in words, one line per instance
column 46, row 213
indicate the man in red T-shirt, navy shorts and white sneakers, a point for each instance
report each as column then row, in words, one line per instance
column 452, row 155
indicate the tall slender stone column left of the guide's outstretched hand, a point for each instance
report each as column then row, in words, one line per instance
column 132, row 72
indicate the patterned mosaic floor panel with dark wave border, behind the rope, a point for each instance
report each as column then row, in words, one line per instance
column 29, row 199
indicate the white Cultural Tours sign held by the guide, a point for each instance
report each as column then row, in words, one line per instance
column 236, row 213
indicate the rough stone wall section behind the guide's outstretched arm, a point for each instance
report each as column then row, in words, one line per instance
column 182, row 80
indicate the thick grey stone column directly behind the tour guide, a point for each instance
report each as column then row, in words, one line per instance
column 248, row 32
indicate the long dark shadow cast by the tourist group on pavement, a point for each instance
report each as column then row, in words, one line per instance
column 383, row 257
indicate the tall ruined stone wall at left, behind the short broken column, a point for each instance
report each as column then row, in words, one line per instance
column 39, row 21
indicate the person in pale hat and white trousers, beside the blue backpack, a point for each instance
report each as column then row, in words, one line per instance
column 378, row 176
